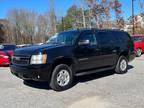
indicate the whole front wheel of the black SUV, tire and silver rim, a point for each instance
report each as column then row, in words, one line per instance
column 61, row 78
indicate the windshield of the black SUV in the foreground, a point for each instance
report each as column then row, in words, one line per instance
column 66, row 38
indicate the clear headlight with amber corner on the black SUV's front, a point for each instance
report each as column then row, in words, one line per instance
column 38, row 59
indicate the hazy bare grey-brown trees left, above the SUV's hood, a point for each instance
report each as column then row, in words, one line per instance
column 27, row 26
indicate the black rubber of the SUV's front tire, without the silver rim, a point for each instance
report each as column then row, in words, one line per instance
column 54, row 84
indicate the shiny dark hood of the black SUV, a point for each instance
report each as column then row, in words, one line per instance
column 34, row 49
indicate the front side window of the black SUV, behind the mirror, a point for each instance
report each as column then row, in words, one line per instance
column 89, row 36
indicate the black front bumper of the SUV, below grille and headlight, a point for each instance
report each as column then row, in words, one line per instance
column 36, row 73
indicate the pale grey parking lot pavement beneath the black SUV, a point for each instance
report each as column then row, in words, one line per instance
column 101, row 90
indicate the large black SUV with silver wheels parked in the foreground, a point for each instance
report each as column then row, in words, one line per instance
column 74, row 53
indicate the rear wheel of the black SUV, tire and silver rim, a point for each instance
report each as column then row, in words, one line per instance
column 122, row 65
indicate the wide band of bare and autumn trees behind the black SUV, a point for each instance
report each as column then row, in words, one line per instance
column 27, row 26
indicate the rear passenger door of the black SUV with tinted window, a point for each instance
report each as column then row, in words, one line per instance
column 106, row 42
